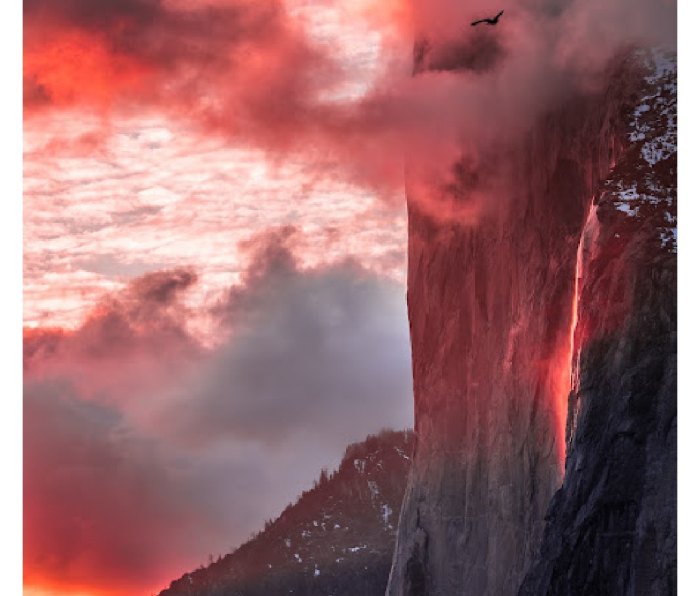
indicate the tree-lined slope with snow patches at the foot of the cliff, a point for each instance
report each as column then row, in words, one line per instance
column 337, row 539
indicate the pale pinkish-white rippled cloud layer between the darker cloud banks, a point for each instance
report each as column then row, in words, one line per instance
column 157, row 193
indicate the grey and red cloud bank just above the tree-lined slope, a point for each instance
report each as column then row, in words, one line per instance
column 145, row 452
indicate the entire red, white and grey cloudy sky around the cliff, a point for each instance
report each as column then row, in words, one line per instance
column 215, row 245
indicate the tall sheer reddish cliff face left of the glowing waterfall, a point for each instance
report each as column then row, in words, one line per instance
column 492, row 308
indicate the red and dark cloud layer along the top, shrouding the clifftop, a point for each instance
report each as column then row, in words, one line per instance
column 262, row 74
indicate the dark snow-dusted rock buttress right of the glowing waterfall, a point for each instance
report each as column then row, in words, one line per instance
column 611, row 528
